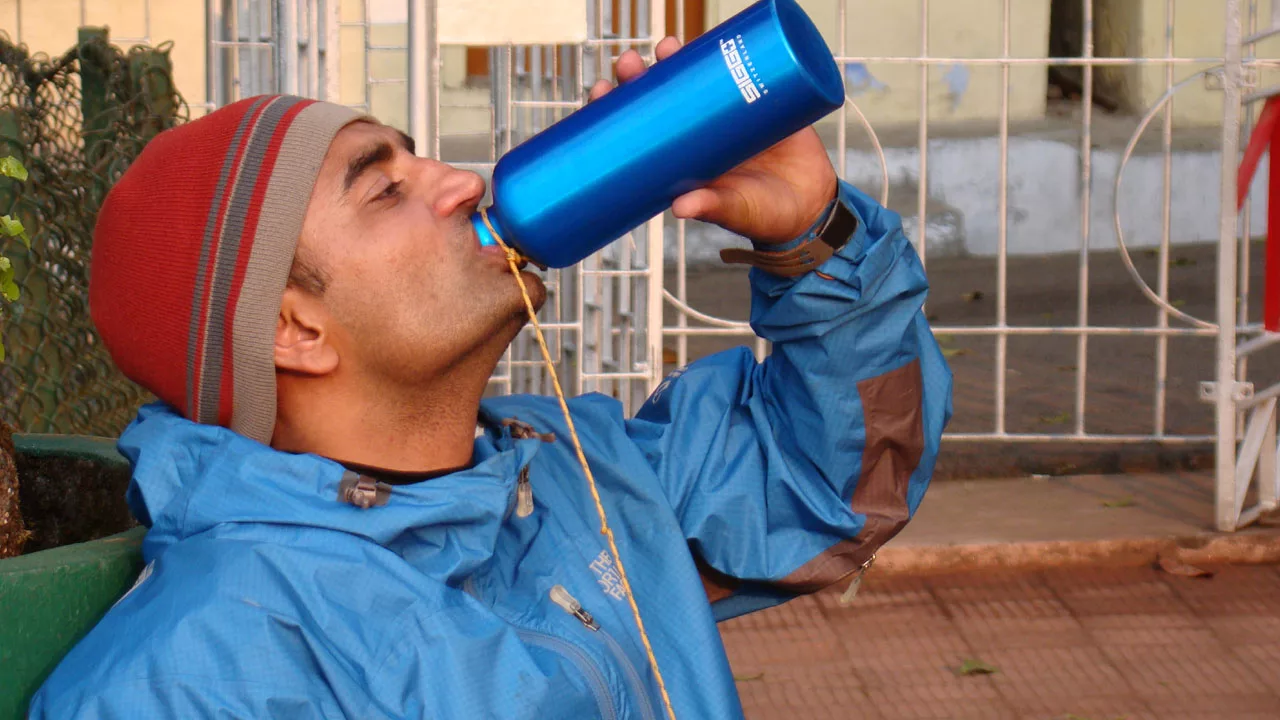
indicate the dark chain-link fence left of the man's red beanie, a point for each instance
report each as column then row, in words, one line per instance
column 76, row 122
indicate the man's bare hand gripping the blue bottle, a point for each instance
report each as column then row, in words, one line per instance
column 772, row 198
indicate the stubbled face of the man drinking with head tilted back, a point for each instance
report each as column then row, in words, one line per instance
column 409, row 291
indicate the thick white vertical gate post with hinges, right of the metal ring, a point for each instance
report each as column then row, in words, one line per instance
column 1233, row 76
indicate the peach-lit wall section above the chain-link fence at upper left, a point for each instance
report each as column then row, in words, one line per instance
column 51, row 26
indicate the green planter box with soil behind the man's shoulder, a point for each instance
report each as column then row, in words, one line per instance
column 51, row 599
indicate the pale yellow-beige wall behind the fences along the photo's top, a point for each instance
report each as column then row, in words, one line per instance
column 875, row 28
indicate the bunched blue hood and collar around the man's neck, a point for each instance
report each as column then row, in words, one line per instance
column 189, row 479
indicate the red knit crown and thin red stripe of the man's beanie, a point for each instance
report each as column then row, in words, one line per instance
column 148, row 247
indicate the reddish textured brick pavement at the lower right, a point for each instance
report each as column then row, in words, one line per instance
column 1067, row 645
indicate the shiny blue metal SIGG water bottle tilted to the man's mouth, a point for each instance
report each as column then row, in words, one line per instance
column 729, row 95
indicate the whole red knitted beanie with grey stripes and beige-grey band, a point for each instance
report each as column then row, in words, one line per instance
column 193, row 250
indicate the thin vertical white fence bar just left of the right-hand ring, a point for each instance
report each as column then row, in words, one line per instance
column 1082, row 345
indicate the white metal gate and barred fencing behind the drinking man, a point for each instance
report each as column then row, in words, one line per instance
column 606, row 316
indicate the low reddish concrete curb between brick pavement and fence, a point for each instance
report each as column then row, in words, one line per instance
column 1246, row 548
